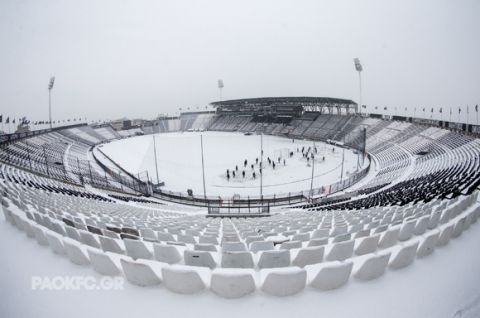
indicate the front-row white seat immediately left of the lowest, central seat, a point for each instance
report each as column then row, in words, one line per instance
column 182, row 279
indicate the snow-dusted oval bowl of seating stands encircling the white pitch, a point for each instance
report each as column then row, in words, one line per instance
column 420, row 194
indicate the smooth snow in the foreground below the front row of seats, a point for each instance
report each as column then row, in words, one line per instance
column 442, row 285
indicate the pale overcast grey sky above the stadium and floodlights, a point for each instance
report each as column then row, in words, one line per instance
column 144, row 57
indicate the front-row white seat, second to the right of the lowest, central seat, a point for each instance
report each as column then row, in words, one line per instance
column 333, row 275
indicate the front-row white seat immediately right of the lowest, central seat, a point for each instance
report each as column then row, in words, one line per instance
column 284, row 281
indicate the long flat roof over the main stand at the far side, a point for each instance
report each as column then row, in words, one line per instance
column 283, row 100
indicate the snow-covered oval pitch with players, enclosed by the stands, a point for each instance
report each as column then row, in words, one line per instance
column 180, row 163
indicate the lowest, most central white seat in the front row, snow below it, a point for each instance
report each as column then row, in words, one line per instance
column 229, row 283
